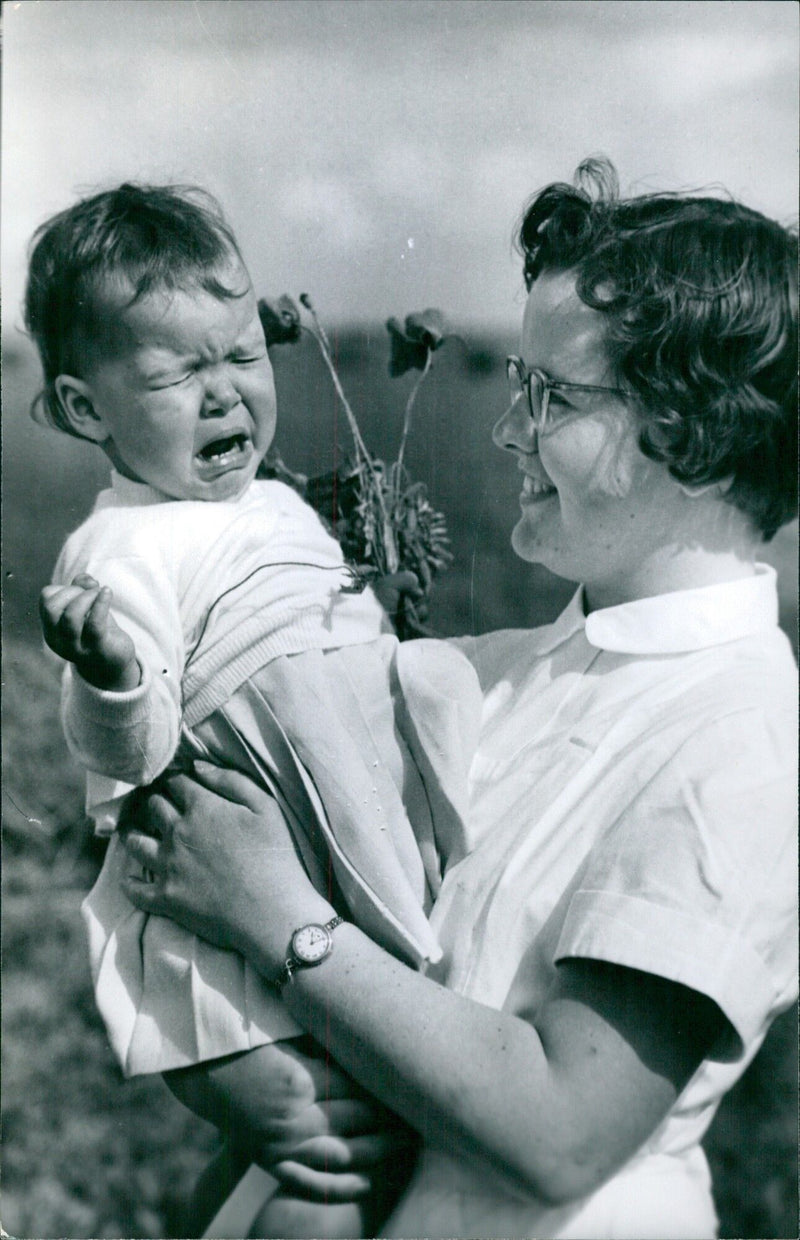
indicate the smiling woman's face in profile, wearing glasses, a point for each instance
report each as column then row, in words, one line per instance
column 593, row 507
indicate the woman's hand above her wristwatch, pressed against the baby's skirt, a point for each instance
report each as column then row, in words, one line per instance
column 221, row 861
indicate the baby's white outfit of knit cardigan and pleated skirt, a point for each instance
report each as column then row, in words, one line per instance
column 256, row 657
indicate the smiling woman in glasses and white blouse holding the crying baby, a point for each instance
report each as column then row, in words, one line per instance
column 620, row 923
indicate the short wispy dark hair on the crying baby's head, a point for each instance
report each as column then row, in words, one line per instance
column 135, row 237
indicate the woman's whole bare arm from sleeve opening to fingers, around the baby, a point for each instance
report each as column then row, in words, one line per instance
column 554, row 1107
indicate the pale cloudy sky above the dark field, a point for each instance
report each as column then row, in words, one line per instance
column 378, row 153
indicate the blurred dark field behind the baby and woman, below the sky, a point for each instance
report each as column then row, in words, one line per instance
column 86, row 1154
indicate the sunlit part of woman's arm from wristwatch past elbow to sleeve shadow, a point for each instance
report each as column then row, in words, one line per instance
column 553, row 1122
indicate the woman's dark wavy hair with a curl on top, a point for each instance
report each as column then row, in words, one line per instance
column 701, row 303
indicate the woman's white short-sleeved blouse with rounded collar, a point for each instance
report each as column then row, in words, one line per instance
column 633, row 800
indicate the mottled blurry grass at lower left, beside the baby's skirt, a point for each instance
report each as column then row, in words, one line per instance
column 85, row 1154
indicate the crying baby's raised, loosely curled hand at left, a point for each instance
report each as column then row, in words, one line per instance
column 79, row 627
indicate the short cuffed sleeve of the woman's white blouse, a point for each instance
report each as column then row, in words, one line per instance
column 698, row 880
